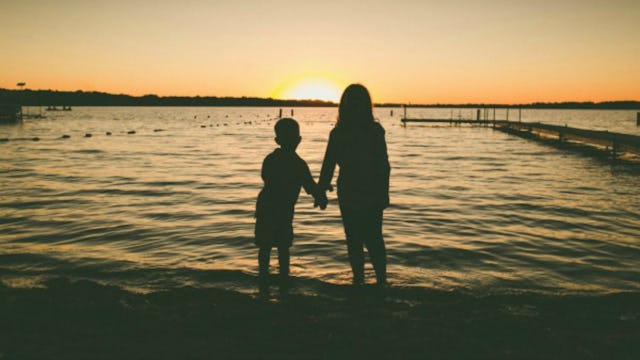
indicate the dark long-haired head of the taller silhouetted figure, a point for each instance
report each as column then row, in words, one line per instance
column 355, row 108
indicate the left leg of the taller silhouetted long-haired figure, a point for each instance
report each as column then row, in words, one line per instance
column 352, row 227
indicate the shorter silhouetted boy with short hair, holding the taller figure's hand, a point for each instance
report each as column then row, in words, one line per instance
column 283, row 173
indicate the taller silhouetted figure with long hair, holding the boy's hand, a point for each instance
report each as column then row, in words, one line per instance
column 357, row 144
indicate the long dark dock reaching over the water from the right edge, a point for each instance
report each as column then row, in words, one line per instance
column 614, row 143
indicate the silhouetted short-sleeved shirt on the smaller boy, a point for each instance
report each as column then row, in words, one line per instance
column 283, row 173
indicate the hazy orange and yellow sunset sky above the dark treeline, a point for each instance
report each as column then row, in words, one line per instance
column 418, row 51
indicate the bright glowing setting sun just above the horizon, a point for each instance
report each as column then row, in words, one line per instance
column 310, row 89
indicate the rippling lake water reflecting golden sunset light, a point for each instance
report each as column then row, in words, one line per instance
column 473, row 209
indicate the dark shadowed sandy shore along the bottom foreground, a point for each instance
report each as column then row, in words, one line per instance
column 84, row 320
